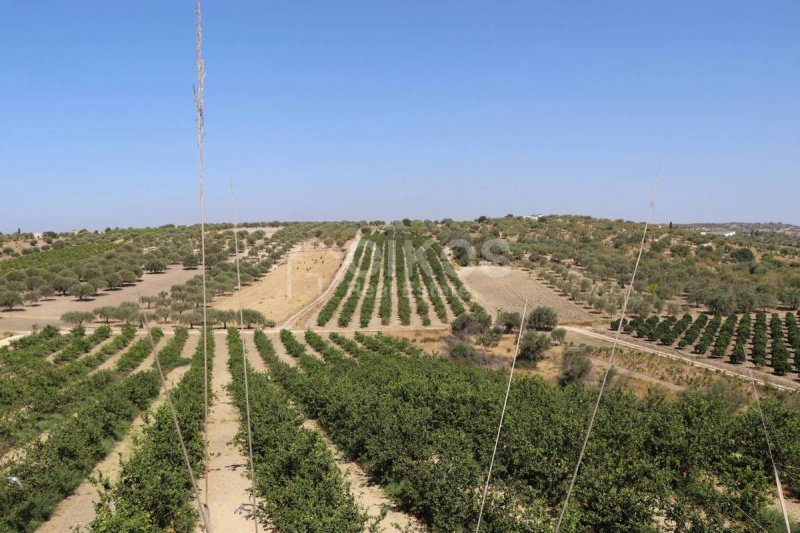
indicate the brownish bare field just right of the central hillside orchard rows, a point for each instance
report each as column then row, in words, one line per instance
column 504, row 288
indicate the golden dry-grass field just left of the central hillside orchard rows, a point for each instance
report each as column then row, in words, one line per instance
column 290, row 287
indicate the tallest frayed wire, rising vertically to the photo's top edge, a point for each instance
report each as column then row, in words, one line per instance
column 198, row 100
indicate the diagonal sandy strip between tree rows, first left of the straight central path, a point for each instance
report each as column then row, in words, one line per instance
column 78, row 508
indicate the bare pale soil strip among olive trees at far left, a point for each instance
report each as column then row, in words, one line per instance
column 50, row 311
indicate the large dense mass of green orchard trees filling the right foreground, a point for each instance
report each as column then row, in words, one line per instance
column 423, row 427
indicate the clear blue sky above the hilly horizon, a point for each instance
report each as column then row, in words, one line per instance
column 386, row 109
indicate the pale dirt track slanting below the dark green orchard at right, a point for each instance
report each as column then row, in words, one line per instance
column 716, row 365
